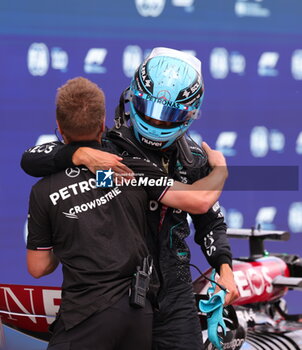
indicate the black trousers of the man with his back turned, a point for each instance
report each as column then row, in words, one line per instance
column 120, row 327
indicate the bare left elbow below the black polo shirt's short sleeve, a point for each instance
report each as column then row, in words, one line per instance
column 41, row 263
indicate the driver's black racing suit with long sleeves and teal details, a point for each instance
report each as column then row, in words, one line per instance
column 176, row 324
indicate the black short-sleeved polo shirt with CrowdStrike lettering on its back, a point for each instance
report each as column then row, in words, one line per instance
column 98, row 234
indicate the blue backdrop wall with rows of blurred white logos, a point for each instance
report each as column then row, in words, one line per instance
column 252, row 65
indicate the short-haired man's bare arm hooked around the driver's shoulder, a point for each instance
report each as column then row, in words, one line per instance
column 200, row 196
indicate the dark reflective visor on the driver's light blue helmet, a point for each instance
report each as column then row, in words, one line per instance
column 161, row 109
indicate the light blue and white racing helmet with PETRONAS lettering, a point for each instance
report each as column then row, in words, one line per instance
column 165, row 97
